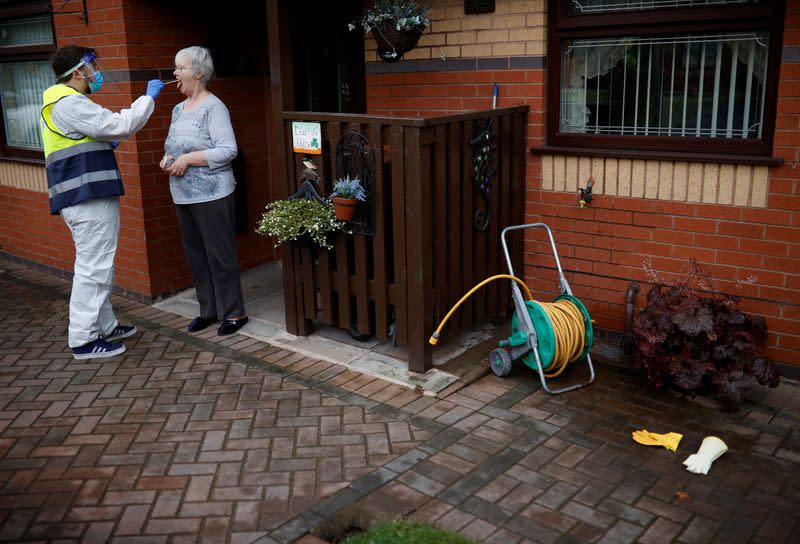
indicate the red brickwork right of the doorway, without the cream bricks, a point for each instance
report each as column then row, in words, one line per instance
column 603, row 247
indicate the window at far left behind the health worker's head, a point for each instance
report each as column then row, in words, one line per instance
column 26, row 42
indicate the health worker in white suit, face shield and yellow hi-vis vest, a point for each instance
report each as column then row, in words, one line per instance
column 84, row 186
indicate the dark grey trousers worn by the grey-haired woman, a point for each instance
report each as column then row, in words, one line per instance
column 208, row 232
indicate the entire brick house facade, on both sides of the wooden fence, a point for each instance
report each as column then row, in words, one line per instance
column 739, row 219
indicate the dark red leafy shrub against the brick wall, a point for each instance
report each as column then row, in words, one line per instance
column 692, row 336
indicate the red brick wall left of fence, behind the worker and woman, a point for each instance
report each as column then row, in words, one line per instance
column 145, row 35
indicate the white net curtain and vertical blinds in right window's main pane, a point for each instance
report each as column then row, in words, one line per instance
column 709, row 85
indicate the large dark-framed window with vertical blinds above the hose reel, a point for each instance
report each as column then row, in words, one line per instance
column 682, row 76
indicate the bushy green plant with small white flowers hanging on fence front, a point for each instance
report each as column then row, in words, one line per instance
column 296, row 219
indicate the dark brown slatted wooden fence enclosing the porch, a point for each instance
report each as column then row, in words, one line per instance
column 435, row 230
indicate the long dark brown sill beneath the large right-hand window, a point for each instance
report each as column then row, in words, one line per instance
column 757, row 160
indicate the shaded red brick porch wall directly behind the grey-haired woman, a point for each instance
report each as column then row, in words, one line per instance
column 154, row 35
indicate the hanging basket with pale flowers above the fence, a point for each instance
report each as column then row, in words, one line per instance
column 396, row 26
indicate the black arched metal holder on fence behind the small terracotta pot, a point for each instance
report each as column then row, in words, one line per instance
column 354, row 159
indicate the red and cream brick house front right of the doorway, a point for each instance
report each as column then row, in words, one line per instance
column 738, row 220
